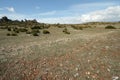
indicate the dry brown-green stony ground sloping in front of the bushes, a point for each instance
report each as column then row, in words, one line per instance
column 91, row 54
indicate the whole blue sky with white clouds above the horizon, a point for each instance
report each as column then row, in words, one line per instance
column 61, row 11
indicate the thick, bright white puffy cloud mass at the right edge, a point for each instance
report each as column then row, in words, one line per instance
column 109, row 14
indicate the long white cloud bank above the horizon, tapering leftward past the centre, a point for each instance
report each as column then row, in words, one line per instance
column 108, row 14
